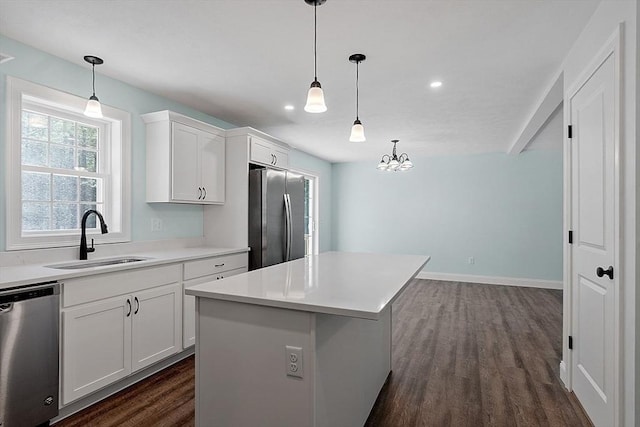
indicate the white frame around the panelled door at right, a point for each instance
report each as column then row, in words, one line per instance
column 612, row 47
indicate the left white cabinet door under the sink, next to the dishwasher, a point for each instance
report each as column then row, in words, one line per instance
column 96, row 346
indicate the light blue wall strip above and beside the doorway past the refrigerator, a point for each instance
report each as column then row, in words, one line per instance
column 304, row 162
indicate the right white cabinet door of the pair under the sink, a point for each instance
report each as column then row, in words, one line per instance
column 156, row 324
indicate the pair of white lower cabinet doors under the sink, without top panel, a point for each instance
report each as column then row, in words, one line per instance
column 107, row 340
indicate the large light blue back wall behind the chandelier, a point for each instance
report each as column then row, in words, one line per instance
column 505, row 211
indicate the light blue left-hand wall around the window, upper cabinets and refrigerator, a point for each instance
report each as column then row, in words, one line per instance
column 179, row 221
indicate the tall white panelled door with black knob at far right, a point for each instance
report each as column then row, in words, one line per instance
column 593, row 189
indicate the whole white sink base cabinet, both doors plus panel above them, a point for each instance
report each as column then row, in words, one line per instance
column 116, row 324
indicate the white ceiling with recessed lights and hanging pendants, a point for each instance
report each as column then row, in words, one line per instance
column 243, row 60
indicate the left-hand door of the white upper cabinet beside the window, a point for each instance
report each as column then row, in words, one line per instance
column 185, row 178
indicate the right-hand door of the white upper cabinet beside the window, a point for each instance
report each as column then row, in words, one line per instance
column 212, row 167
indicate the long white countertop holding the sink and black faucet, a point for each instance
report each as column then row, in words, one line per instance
column 35, row 273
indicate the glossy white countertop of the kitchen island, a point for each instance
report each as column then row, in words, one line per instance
column 341, row 283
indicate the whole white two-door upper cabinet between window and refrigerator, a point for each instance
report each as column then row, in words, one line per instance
column 185, row 159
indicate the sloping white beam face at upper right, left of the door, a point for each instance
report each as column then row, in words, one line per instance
column 551, row 100
